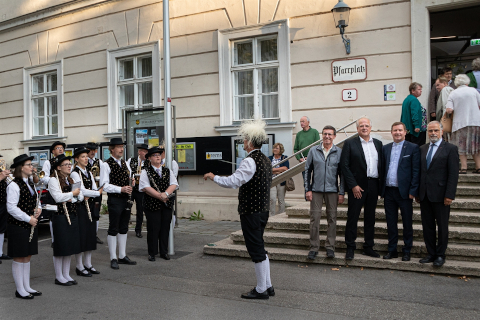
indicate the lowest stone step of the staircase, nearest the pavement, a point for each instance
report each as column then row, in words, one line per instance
column 227, row 247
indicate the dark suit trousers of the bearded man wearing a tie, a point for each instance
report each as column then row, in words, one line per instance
column 435, row 214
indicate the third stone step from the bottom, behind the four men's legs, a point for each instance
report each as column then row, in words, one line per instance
column 456, row 234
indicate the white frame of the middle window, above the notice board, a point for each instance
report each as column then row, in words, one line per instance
column 113, row 57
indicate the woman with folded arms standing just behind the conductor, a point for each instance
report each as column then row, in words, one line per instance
column 278, row 192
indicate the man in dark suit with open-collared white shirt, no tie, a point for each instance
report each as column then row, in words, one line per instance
column 361, row 165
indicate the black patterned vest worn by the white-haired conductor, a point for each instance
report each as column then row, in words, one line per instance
column 254, row 196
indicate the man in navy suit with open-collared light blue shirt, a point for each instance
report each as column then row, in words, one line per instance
column 402, row 175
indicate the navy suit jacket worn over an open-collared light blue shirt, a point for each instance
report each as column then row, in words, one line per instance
column 408, row 171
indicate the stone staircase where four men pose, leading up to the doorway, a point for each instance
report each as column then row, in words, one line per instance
column 287, row 237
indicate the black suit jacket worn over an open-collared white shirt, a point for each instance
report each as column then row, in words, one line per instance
column 354, row 166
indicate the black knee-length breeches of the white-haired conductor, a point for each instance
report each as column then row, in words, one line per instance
column 253, row 226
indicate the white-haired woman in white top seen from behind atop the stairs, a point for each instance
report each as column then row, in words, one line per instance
column 465, row 101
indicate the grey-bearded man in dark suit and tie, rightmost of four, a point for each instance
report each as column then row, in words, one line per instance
column 438, row 185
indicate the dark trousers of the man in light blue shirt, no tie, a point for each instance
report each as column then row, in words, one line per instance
column 394, row 201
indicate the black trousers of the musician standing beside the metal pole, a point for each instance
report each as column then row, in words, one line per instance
column 158, row 229
